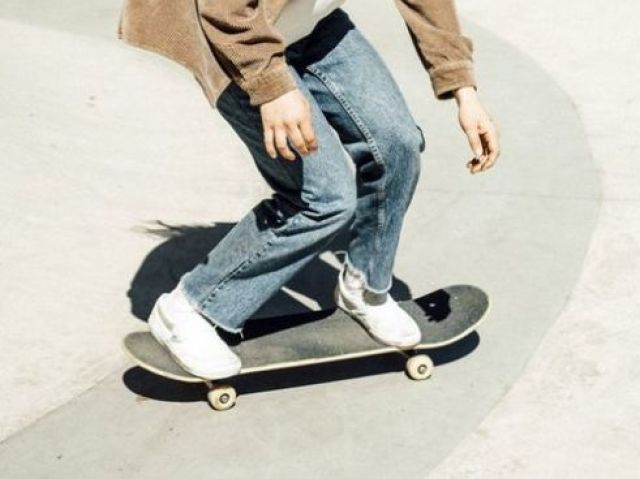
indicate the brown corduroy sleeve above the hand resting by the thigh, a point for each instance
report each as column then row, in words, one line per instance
column 247, row 46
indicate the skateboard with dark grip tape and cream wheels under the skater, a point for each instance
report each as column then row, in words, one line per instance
column 445, row 316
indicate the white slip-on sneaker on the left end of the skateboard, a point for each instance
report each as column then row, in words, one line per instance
column 190, row 338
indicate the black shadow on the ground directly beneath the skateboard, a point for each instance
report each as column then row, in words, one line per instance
column 147, row 385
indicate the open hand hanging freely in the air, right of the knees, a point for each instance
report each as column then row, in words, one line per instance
column 481, row 132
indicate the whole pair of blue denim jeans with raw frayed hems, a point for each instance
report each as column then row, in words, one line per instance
column 359, row 115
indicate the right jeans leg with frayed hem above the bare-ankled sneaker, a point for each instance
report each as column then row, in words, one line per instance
column 362, row 102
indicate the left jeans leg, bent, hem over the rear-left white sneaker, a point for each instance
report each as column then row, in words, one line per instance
column 314, row 197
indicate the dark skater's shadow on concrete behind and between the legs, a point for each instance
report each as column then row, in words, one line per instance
column 186, row 245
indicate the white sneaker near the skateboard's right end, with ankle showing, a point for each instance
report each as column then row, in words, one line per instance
column 386, row 322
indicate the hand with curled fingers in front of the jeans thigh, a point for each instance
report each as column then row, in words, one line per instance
column 289, row 115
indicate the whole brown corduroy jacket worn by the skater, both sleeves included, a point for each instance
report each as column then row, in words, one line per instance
column 221, row 40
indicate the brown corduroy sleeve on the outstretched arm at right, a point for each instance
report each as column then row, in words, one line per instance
column 445, row 53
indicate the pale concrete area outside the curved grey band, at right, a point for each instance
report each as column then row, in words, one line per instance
column 574, row 411
